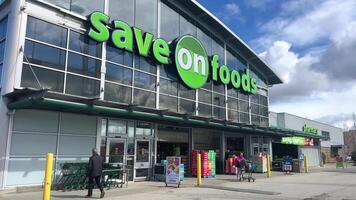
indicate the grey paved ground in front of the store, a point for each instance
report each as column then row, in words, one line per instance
column 322, row 183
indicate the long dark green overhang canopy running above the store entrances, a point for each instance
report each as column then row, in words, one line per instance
column 45, row 100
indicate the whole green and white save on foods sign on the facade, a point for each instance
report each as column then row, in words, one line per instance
column 186, row 53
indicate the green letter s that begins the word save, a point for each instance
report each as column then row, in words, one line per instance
column 99, row 32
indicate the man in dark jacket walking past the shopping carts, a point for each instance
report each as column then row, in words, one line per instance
column 95, row 170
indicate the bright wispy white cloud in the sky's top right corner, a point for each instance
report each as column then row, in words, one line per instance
column 322, row 21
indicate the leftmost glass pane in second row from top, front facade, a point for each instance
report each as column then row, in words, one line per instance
column 44, row 55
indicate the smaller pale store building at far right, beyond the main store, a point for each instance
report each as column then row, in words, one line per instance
column 331, row 146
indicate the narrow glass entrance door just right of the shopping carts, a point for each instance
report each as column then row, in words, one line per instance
column 142, row 159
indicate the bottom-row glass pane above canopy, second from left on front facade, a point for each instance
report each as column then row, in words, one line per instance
column 81, row 86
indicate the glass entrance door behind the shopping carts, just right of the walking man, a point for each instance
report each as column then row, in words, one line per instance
column 116, row 151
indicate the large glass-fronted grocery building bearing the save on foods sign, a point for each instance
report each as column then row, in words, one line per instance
column 65, row 90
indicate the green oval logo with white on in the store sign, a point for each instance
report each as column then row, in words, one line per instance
column 191, row 62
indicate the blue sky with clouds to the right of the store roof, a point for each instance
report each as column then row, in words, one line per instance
column 310, row 44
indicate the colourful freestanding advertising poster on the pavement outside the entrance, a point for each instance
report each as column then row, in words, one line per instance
column 172, row 170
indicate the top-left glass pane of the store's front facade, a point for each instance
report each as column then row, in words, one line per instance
column 46, row 32
